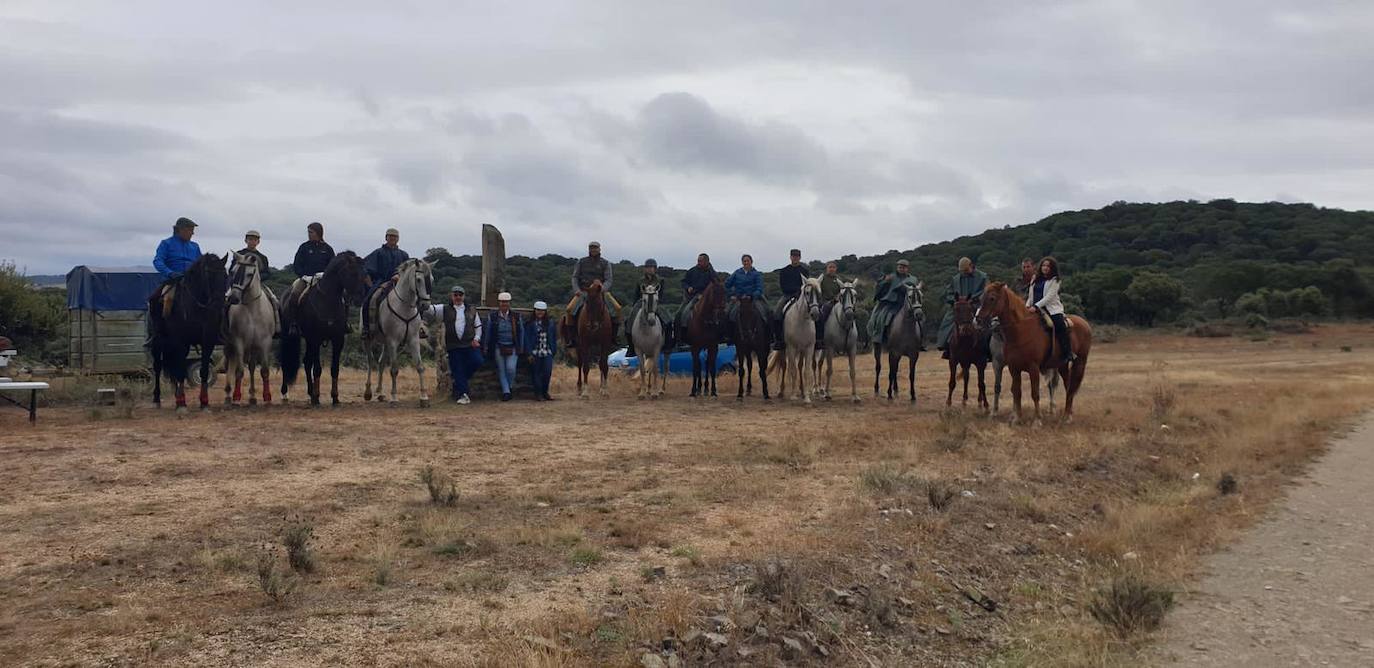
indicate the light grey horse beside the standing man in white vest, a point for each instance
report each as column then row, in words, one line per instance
column 399, row 324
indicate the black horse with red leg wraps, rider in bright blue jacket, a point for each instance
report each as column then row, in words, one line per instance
column 196, row 321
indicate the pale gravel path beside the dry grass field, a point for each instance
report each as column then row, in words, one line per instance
column 1299, row 590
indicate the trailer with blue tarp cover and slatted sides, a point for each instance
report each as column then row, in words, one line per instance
column 108, row 311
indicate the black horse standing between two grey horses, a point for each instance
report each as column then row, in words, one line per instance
column 319, row 315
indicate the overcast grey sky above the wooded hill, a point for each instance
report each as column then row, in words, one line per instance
column 659, row 129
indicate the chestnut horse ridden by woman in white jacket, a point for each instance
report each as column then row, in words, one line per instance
column 1031, row 350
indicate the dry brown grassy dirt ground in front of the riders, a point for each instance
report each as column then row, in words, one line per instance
column 623, row 533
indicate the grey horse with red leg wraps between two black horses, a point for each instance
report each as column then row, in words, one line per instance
column 252, row 321
